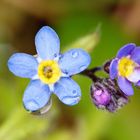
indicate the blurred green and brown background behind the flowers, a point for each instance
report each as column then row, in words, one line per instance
column 20, row 20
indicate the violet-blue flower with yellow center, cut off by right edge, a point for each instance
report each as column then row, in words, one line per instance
column 126, row 66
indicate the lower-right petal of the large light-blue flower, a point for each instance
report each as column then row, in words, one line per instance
column 68, row 91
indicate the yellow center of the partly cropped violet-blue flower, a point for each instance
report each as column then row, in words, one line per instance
column 126, row 66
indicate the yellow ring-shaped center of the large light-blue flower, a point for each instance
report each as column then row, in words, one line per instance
column 49, row 71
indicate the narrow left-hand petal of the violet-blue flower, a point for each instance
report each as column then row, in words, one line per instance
column 113, row 69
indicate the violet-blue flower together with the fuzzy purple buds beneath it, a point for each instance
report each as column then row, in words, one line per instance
column 124, row 70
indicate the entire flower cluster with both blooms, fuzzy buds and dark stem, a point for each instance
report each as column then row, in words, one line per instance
column 51, row 72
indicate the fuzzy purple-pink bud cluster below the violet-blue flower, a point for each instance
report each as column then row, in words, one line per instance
column 105, row 94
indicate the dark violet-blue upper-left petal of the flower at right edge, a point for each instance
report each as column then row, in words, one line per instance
column 126, row 50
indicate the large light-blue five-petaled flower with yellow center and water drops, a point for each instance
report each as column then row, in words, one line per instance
column 49, row 71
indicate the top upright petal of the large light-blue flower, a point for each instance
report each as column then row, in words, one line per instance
column 47, row 43
